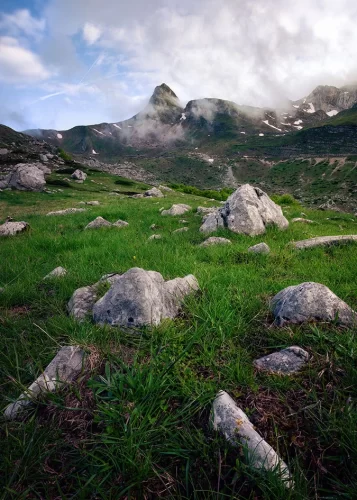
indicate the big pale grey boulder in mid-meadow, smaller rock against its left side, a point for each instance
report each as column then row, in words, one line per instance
column 140, row 297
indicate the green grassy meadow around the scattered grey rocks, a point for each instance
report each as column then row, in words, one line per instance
column 136, row 424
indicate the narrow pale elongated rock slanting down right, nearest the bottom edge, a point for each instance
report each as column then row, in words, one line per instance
column 234, row 424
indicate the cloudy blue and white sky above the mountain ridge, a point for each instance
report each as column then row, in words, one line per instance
column 77, row 62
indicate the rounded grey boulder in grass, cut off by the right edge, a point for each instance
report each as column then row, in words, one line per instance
column 311, row 302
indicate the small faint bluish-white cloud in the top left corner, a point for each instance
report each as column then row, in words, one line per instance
column 22, row 22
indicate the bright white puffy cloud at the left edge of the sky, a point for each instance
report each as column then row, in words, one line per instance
column 18, row 64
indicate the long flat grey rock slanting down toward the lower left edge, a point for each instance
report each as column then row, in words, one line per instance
column 64, row 368
